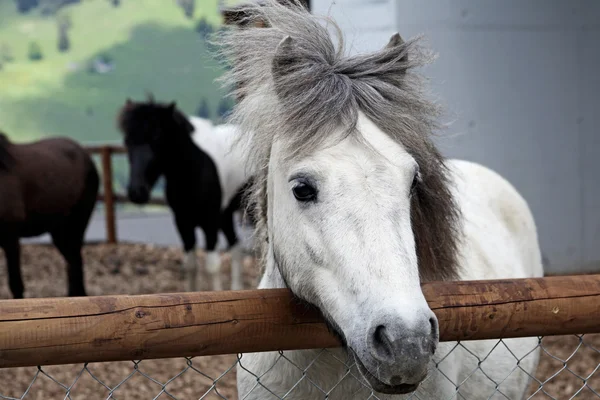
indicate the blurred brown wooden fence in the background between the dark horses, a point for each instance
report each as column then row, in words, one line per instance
column 108, row 197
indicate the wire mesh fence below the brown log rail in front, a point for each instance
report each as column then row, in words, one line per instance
column 568, row 368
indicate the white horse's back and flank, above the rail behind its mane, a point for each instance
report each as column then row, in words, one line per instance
column 500, row 238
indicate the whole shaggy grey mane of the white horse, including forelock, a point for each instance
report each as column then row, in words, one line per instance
column 295, row 85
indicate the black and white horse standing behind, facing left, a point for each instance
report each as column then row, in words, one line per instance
column 205, row 178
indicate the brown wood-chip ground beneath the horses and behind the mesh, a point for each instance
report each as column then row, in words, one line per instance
column 140, row 269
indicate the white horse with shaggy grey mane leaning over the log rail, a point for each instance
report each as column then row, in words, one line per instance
column 356, row 207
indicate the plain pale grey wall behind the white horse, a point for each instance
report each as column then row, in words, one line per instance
column 521, row 80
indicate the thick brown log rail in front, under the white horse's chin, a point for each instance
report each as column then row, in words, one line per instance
column 117, row 328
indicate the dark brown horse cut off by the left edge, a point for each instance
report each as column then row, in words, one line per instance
column 47, row 186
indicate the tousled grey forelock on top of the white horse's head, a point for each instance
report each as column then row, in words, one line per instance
column 320, row 88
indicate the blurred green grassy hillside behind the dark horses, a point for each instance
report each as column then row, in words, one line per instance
column 154, row 48
